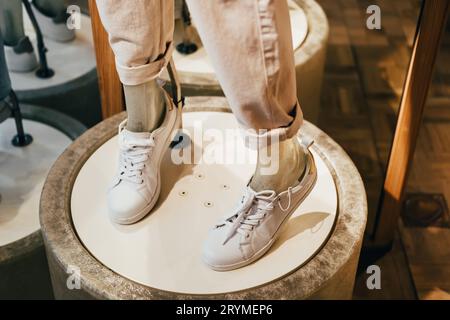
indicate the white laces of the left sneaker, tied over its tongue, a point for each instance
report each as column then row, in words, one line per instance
column 133, row 155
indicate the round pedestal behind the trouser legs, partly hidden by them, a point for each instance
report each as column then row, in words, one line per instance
column 309, row 35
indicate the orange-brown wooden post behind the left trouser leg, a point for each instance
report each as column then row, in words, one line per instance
column 111, row 91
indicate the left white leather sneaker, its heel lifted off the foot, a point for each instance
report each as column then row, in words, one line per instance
column 137, row 184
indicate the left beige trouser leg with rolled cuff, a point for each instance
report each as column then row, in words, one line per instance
column 141, row 36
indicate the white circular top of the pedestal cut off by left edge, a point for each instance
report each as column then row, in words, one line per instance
column 23, row 172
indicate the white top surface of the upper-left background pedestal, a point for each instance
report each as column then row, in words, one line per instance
column 69, row 60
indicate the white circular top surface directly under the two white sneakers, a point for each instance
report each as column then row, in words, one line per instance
column 163, row 250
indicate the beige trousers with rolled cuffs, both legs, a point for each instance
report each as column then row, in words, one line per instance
column 249, row 44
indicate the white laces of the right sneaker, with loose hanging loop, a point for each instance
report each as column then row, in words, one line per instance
column 253, row 211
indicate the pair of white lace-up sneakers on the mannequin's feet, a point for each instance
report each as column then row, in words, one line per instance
column 239, row 239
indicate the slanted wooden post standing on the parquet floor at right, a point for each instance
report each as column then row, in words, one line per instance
column 420, row 71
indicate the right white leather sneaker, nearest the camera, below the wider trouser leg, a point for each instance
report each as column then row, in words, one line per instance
column 248, row 234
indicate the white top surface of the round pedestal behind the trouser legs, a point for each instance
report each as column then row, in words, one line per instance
column 198, row 62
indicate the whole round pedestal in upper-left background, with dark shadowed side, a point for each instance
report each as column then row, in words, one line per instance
column 73, row 89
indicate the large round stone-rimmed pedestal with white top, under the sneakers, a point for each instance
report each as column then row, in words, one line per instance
column 159, row 257
